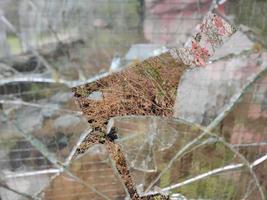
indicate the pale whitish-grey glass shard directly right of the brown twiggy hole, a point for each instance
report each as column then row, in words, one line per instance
column 201, row 100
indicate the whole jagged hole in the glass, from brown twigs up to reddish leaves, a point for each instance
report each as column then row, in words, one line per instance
column 123, row 93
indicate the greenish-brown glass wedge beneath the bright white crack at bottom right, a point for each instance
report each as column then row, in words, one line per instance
column 232, row 184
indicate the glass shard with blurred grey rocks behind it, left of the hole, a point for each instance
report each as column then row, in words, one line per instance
column 58, row 127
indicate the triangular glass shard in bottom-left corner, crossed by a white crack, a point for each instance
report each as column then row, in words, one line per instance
column 24, row 168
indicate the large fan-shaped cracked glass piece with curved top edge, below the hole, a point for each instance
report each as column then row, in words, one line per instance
column 154, row 152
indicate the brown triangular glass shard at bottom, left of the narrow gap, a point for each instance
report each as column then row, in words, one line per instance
column 96, row 179
